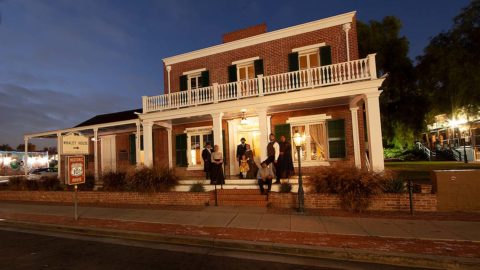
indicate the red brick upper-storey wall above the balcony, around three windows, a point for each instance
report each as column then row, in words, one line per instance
column 274, row 54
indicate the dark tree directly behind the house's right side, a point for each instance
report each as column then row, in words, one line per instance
column 401, row 103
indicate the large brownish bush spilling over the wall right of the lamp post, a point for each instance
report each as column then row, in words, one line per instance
column 354, row 186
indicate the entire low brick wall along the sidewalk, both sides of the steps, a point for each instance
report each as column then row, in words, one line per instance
column 385, row 202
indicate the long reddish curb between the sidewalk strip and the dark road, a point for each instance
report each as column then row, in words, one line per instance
column 345, row 254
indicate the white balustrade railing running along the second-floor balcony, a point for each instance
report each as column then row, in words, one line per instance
column 346, row 72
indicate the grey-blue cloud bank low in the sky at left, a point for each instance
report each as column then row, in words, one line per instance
column 27, row 110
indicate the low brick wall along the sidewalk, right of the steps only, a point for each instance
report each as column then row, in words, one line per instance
column 385, row 202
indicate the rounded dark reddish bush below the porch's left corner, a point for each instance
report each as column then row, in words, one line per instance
column 152, row 180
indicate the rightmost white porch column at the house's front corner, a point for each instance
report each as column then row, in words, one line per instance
column 374, row 129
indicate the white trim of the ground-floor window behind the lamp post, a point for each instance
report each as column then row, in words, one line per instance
column 306, row 121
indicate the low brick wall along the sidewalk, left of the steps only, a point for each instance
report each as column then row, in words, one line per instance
column 94, row 197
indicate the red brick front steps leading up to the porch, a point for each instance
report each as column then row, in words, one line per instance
column 240, row 197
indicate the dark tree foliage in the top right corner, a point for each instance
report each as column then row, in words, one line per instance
column 449, row 70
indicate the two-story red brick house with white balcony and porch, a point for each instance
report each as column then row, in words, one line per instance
column 306, row 78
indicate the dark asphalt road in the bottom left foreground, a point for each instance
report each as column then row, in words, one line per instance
column 20, row 250
